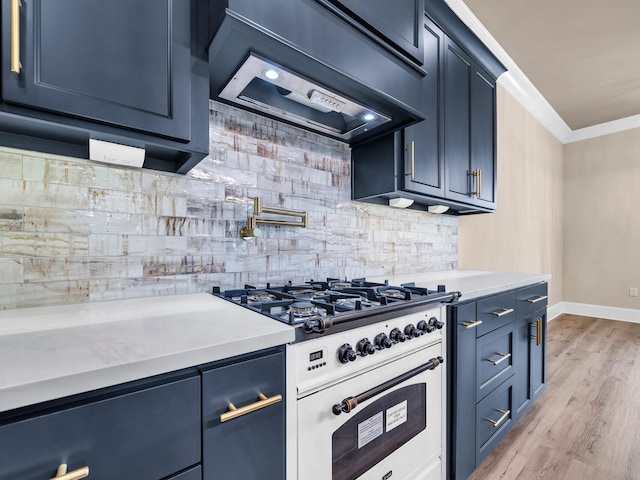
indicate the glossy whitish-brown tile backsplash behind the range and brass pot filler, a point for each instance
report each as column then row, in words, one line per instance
column 76, row 231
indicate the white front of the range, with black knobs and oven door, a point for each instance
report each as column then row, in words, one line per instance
column 370, row 401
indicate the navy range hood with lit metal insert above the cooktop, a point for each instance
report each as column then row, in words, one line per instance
column 309, row 68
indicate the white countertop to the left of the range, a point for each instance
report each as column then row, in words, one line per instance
column 52, row 352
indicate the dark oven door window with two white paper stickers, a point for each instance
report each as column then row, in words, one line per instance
column 379, row 429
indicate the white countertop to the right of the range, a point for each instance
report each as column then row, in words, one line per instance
column 472, row 283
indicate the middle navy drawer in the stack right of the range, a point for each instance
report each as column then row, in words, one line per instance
column 495, row 362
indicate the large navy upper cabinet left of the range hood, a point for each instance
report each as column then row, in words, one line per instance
column 119, row 71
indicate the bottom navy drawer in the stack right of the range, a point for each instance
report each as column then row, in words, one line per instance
column 494, row 416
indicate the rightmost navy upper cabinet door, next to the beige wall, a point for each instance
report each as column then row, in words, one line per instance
column 483, row 137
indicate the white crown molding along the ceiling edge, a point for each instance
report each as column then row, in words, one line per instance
column 524, row 91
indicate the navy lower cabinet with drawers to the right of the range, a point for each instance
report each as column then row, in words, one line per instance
column 497, row 369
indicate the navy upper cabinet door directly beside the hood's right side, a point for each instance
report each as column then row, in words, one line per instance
column 423, row 170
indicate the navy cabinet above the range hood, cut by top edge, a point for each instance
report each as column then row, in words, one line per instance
column 398, row 22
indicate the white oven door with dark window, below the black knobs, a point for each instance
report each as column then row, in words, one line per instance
column 395, row 434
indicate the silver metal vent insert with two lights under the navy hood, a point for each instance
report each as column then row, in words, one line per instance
column 265, row 86
